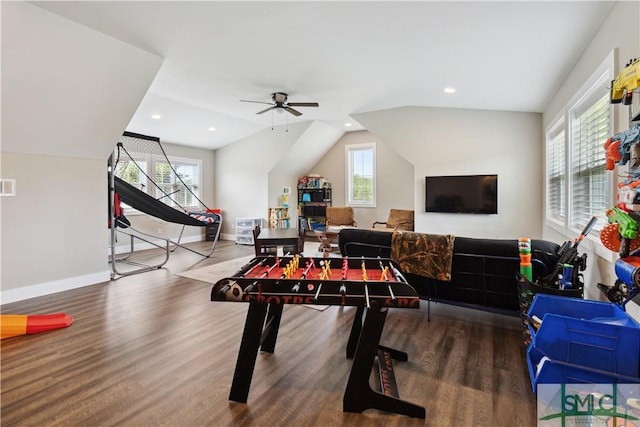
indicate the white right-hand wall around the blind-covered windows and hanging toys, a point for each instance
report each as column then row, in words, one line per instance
column 620, row 31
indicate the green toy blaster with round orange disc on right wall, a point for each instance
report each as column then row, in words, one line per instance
column 621, row 234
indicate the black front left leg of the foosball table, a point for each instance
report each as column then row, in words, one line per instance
column 248, row 352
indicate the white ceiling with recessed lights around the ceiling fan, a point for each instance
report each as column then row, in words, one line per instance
column 350, row 57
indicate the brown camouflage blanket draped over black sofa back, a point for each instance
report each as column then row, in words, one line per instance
column 428, row 255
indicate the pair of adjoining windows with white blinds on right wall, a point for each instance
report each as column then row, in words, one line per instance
column 577, row 183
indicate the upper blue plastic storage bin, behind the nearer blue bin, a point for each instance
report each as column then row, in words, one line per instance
column 601, row 312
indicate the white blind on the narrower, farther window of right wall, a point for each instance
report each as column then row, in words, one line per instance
column 556, row 173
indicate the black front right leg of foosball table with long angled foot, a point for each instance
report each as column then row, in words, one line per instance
column 359, row 395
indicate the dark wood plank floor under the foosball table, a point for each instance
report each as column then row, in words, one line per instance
column 152, row 349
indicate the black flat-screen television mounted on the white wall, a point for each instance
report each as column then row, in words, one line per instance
column 474, row 194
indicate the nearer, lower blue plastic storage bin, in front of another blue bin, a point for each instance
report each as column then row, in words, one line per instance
column 583, row 351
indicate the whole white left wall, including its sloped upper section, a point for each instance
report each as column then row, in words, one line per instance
column 67, row 95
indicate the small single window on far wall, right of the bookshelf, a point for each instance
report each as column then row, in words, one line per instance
column 361, row 174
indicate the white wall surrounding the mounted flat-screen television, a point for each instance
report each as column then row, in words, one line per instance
column 442, row 141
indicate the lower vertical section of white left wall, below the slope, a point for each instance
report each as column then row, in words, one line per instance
column 52, row 228
